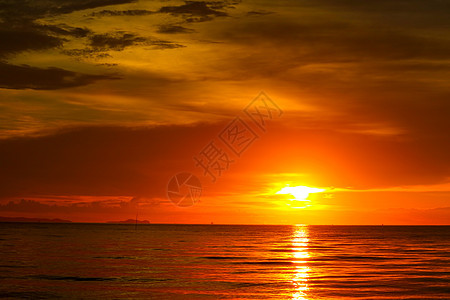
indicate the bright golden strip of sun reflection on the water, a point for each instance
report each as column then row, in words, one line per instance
column 300, row 255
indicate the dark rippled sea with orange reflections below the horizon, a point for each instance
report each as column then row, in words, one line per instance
column 104, row 261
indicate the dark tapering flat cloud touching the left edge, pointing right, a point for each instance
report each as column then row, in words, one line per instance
column 27, row 77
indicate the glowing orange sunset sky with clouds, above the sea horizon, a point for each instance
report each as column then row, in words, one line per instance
column 104, row 101
